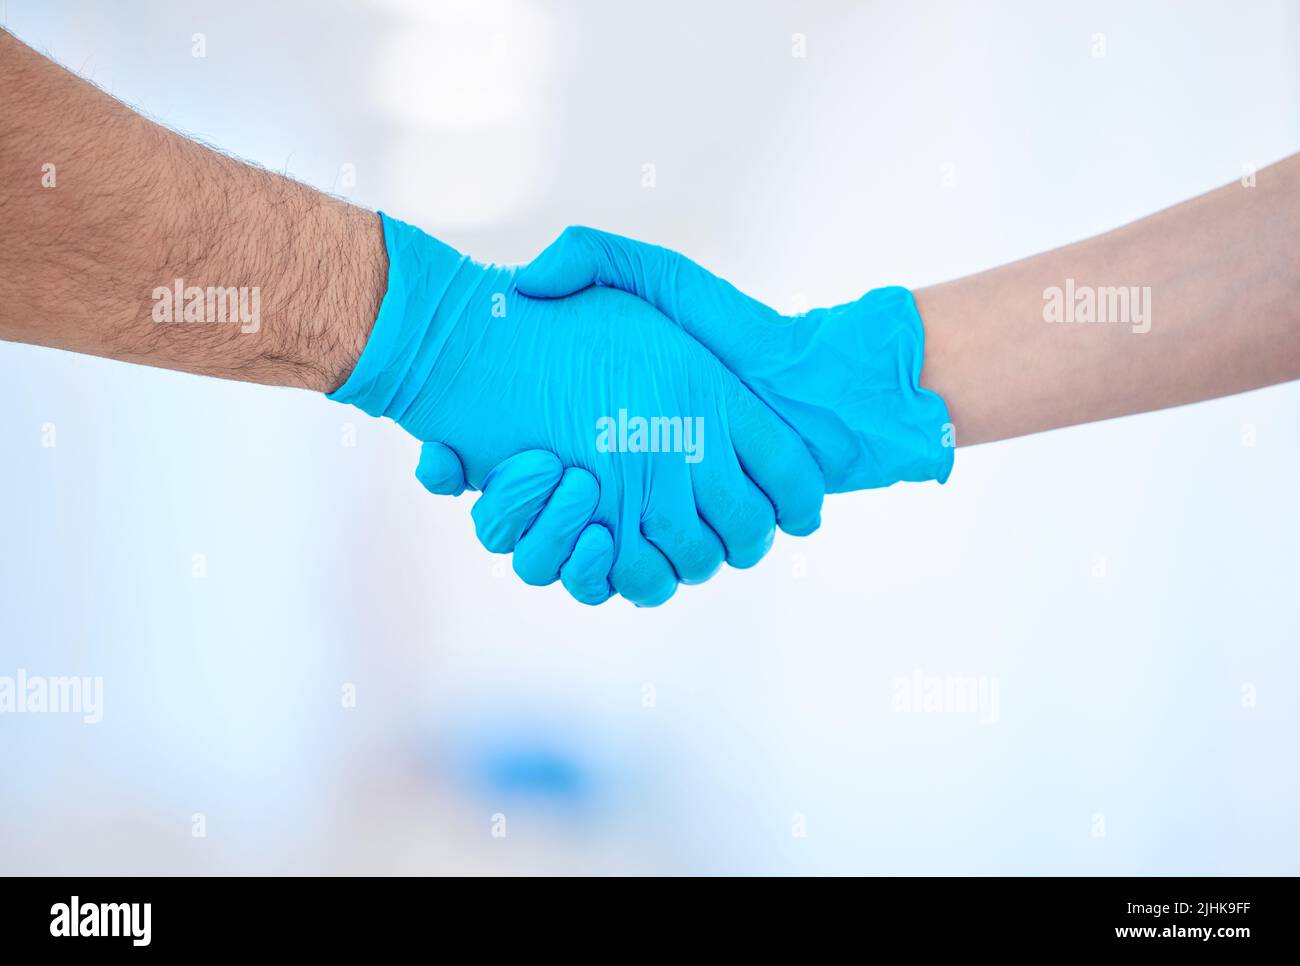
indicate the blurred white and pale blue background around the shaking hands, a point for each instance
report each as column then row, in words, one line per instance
column 311, row 666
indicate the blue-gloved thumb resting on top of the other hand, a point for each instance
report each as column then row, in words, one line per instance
column 709, row 309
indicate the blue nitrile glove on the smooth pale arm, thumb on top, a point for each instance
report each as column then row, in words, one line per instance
column 847, row 379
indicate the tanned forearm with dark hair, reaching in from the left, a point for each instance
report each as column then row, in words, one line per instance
column 106, row 218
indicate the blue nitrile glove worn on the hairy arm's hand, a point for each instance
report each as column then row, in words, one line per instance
column 461, row 361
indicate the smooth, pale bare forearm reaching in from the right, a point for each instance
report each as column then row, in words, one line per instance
column 1217, row 279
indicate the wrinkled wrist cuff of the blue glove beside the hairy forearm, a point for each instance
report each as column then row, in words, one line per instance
column 428, row 284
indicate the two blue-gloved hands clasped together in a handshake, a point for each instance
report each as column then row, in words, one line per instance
column 632, row 421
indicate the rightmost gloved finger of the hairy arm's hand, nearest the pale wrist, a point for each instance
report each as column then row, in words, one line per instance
column 777, row 460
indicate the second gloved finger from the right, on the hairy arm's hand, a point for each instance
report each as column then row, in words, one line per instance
column 735, row 509
